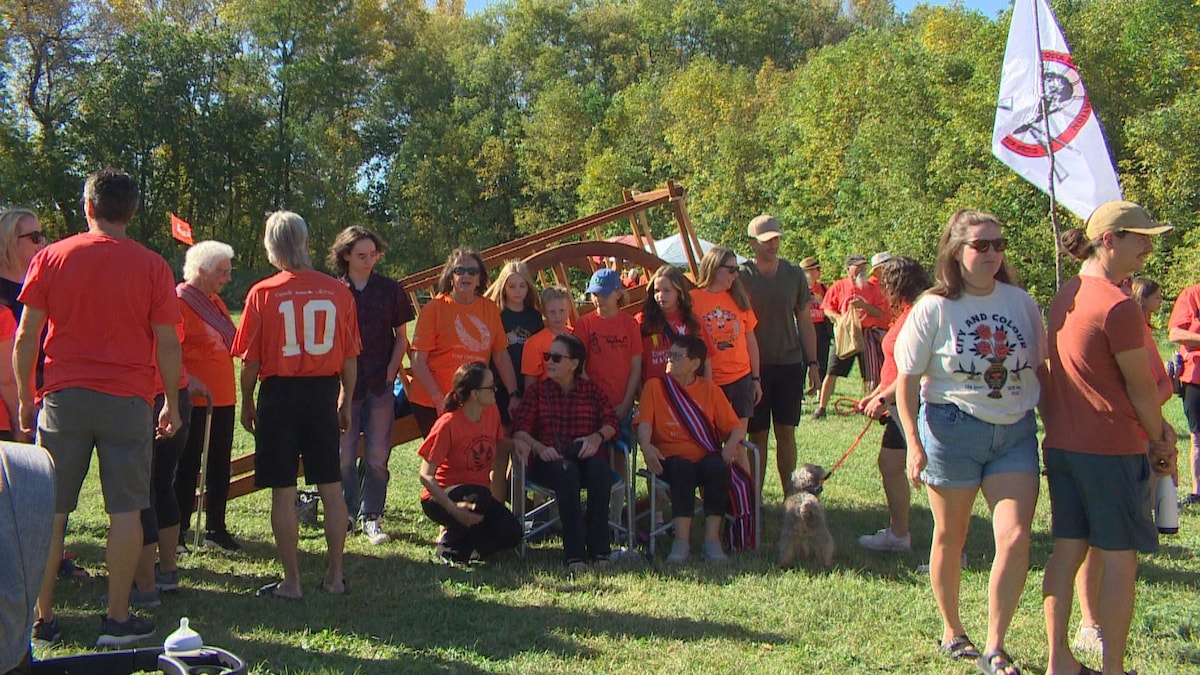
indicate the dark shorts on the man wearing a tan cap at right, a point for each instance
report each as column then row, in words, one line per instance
column 1103, row 499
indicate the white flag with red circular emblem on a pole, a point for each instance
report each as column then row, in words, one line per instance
column 1083, row 169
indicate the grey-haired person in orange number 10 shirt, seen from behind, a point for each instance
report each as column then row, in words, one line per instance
column 299, row 337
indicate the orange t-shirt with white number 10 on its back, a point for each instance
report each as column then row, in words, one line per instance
column 298, row 325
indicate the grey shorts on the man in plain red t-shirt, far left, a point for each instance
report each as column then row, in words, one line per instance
column 73, row 422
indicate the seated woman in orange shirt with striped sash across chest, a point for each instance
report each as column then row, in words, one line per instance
column 681, row 423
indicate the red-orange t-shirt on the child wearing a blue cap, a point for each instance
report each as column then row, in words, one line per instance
column 613, row 344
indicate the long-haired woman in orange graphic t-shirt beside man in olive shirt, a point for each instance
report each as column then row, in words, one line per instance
column 724, row 309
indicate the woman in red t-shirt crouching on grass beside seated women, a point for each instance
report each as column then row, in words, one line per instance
column 457, row 464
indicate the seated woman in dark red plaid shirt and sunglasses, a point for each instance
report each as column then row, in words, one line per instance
column 562, row 428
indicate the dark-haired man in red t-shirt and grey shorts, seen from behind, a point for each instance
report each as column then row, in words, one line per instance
column 112, row 315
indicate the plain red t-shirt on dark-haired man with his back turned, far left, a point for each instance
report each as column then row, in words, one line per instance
column 103, row 298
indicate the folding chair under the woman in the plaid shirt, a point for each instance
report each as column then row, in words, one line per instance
column 544, row 517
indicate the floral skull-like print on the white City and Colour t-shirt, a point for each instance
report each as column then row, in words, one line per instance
column 993, row 339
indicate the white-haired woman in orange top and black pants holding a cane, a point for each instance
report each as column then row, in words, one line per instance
column 208, row 337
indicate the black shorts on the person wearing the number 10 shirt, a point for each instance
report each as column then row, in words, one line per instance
column 297, row 420
